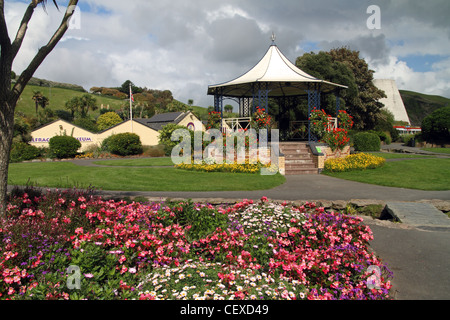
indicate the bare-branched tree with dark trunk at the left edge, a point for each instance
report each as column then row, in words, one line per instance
column 9, row 94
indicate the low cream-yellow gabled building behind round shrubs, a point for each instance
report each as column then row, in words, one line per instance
column 146, row 129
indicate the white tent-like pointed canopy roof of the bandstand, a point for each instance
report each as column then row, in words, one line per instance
column 283, row 78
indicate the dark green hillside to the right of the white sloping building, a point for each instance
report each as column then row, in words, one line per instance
column 419, row 105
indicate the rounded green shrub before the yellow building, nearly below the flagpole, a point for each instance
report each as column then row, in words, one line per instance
column 123, row 144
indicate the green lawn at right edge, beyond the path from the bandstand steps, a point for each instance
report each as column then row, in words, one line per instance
column 422, row 174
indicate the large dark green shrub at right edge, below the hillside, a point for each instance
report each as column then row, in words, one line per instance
column 436, row 126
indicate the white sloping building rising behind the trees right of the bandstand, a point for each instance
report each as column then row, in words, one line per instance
column 394, row 101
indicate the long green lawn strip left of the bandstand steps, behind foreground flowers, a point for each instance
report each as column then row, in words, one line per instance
column 69, row 175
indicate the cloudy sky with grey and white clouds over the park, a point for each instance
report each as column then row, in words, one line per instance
column 186, row 45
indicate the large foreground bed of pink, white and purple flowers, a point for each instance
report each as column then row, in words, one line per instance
column 182, row 250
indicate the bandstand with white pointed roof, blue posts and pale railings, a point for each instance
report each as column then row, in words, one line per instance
column 274, row 77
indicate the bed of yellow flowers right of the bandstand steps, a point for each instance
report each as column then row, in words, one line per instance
column 358, row 161
